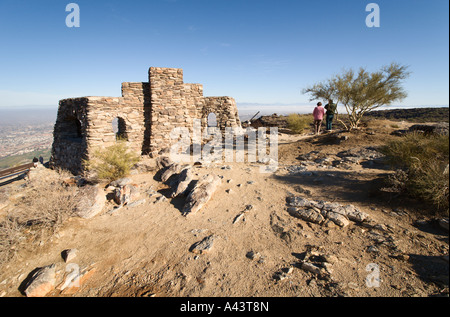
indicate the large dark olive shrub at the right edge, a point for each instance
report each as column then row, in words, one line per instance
column 424, row 159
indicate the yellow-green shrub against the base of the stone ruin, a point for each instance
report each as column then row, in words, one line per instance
column 113, row 162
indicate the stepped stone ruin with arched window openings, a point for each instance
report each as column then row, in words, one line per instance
column 144, row 116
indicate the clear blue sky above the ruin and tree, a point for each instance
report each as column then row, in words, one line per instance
column 257, row 51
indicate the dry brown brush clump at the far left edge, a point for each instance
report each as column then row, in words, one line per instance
column 44, row 207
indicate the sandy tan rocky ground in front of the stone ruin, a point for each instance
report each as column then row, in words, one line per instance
column 319, row 226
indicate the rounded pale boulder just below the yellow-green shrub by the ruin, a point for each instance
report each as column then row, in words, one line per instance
column 90, row 201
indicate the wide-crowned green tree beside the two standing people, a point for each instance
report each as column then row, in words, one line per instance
column 362, row 91
